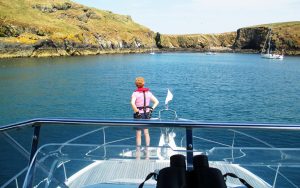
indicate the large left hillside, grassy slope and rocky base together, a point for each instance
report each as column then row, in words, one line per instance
column 35, row 28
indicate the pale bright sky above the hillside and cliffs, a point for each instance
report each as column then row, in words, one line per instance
column 201, row 16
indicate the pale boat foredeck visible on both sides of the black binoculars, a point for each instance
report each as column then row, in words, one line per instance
column 132, row 171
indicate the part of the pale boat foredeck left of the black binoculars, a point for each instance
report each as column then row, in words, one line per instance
column 116, row 171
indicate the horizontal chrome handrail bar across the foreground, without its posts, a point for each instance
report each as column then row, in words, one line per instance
column 149, row 123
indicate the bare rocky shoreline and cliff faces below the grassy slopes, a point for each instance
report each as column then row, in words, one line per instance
column 245, row 40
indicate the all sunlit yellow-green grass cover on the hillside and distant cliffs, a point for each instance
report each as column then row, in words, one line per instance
column 29, row 21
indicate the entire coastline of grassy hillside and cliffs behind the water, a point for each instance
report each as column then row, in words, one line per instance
column 36, row 28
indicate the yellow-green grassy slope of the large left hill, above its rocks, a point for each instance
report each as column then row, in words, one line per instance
column 60, row 19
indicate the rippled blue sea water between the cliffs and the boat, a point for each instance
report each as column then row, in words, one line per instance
column 211, row 88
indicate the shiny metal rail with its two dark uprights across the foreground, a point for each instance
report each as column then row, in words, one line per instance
column 188, row 125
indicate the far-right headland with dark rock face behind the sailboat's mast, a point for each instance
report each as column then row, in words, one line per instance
column 284, row 37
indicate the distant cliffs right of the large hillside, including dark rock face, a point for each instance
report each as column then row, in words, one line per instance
column 285, row 37
